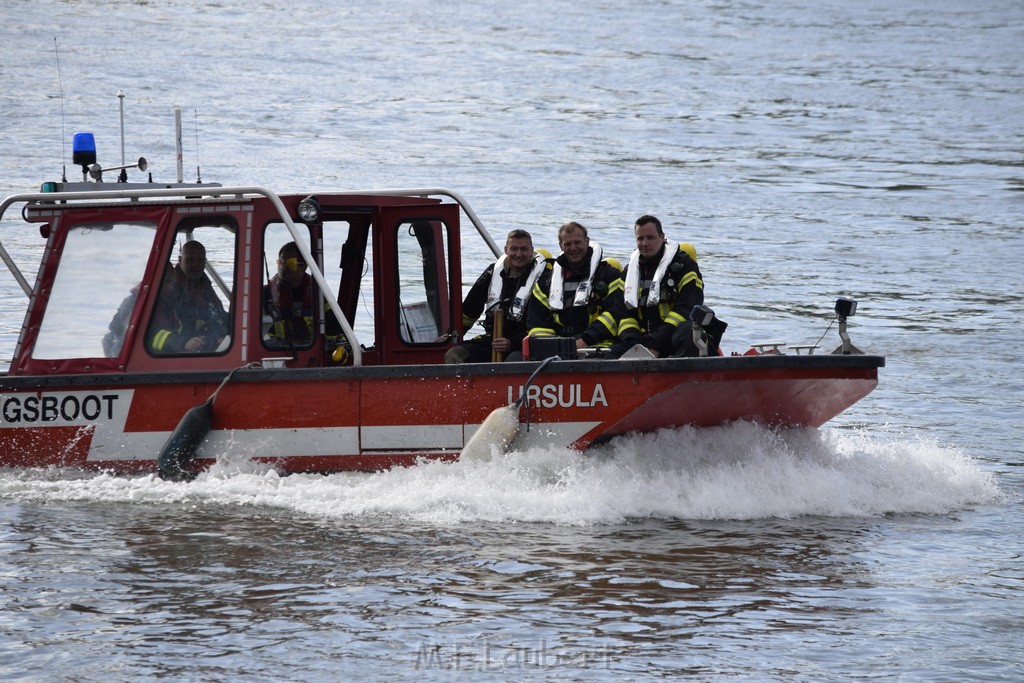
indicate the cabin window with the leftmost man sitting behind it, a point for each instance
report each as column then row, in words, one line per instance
column 192, row 315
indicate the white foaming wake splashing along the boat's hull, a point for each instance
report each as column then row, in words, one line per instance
column 742, row 472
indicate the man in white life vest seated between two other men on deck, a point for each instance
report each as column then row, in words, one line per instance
column 578, row 295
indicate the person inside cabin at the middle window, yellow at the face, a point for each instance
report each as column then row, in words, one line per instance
column 289, row 301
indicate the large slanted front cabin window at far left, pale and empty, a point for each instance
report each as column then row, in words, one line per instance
column 95, row 291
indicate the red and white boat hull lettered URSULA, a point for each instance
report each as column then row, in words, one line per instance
column 379, row 417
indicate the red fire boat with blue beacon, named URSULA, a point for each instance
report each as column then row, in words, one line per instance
column 371, row 394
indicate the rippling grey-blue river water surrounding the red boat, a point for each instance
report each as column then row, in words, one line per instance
column 810, row 150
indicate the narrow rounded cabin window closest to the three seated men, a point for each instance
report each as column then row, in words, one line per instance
column 424, row 301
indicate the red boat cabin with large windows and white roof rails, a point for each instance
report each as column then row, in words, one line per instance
column 375, row 277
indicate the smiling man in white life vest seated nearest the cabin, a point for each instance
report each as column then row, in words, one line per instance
column 504, row 288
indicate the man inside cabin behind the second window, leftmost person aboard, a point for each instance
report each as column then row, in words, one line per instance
column 190, row 317
